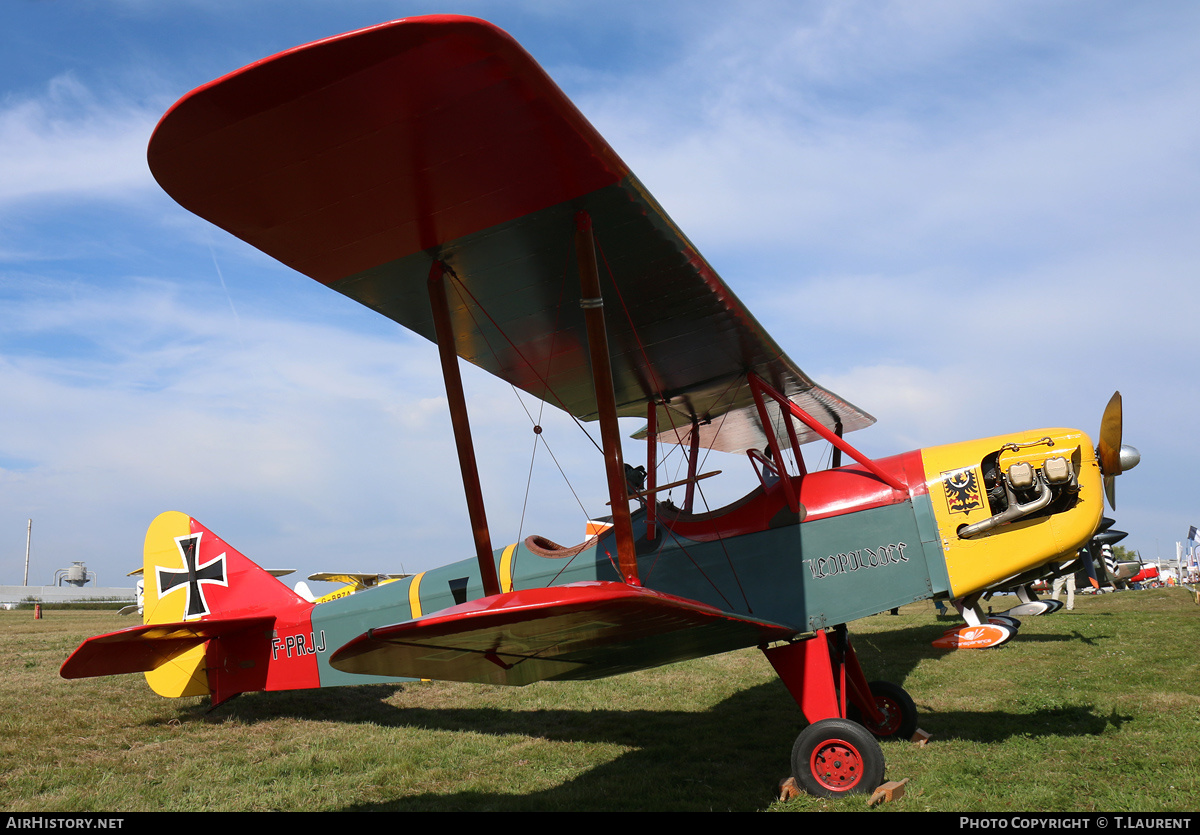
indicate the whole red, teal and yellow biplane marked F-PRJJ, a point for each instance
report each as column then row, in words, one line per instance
column 430, row 170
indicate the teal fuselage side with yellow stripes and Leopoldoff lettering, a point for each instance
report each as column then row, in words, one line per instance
column 805, row 575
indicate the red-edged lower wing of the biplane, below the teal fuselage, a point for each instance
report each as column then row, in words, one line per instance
column 578, row 632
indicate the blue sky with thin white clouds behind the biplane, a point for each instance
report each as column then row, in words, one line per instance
column 968, row 219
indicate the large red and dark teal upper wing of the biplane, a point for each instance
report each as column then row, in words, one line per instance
column 363, row 159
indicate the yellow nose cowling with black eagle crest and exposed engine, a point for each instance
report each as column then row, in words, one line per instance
column 1009, row 504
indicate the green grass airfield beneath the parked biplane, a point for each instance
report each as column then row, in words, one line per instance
column 1096, row 710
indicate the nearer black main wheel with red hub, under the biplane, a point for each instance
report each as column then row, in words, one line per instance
column 836, row 758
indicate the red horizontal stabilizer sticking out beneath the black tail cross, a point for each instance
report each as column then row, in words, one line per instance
column 141, row 650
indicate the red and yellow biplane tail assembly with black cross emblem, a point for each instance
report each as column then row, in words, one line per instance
column 202, row 600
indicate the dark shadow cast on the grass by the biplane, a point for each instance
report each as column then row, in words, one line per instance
column 729, row 758
